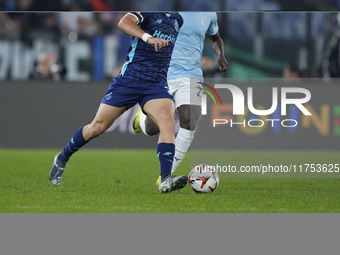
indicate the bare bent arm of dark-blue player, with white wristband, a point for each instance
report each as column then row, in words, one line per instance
column 129, row 25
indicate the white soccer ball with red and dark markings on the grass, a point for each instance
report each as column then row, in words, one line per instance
column 203, row 179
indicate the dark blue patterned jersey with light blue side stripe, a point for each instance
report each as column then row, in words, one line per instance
column 143, row 62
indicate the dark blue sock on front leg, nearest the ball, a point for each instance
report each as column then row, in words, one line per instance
column 165, row 153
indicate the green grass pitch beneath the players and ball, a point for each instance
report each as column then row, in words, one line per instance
column 123, row 181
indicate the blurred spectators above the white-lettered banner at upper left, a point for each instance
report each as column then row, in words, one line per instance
column 57, row 24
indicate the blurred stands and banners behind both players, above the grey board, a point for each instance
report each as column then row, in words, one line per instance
column 78, row 44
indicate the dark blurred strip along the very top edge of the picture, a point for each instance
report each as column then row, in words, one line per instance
column 155, row 5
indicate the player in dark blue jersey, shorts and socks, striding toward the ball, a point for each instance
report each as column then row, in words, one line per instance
column 143, row 80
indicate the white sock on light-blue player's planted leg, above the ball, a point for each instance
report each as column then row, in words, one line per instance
column 182, row 143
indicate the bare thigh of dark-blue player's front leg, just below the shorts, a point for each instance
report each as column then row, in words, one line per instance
column 161, row 111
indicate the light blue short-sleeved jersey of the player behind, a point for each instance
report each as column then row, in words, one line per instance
column 187, row 54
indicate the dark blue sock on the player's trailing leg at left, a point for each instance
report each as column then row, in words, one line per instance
column 76, row 142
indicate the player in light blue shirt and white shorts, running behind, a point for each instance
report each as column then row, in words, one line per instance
column 183, row 76
